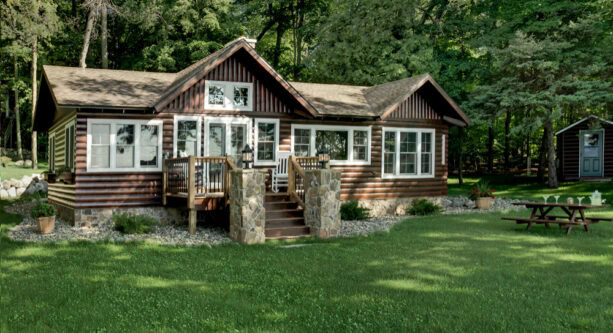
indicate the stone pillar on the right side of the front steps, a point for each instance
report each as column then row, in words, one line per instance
column 322, row 211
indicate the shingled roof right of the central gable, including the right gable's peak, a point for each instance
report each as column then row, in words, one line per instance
column 374, row 101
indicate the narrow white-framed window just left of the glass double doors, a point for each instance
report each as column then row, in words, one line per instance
column 187, row 131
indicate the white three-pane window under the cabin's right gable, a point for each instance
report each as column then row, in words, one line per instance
column 408, row 152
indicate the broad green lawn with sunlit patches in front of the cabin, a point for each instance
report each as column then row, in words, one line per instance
column 443, row 273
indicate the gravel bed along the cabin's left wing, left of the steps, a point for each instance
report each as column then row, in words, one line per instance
column 168, row 234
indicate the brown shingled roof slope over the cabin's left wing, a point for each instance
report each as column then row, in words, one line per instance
column 108, row 88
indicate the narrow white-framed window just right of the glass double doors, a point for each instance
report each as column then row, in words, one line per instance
column 266, row 141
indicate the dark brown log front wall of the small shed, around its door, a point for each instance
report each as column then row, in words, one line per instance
column 568, row 151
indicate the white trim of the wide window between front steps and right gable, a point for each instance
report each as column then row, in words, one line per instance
column 349, row 129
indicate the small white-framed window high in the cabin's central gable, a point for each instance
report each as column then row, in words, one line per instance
column 226, row 95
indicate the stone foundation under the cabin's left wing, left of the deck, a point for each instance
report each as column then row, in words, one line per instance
column 93, row 217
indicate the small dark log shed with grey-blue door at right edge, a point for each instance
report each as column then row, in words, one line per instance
column 584, row 149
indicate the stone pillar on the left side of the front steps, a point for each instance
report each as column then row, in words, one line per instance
column 247, row 213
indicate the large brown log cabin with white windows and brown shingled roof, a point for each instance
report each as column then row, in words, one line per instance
column 114, row 129
